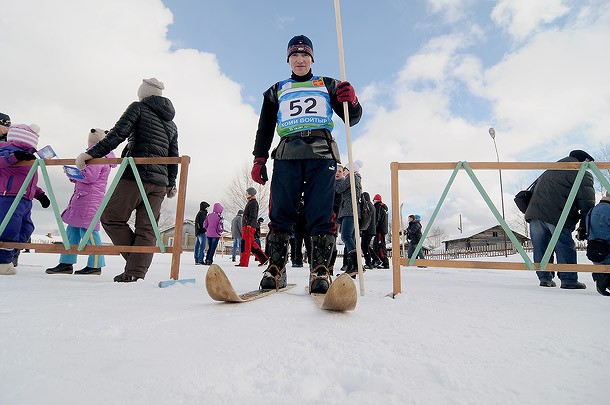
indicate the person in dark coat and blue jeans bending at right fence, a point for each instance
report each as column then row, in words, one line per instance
column 550, row 195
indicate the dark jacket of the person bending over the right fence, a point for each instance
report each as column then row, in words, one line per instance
column 551, row 193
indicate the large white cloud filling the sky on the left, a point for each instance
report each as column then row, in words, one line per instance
column 77, row 65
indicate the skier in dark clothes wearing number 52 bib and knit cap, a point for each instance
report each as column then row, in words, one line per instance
column 301, row 109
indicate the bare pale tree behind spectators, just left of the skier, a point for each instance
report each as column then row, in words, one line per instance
column 235, row 196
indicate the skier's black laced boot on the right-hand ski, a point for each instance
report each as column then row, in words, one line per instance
column 319, row 276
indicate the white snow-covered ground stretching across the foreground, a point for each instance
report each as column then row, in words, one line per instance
column 454, row 336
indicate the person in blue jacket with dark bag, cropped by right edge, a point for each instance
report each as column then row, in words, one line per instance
column 598, row 244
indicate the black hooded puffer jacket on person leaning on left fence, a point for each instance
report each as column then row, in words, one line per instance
column 148, row 127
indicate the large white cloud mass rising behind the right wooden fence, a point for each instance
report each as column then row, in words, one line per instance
column 547, row 96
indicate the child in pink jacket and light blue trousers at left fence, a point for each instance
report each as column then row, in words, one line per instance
column 86, row 199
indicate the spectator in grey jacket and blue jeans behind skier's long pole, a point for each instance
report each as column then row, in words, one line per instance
column 345, row 215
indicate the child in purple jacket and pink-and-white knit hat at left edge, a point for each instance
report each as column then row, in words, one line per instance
column 20, row 145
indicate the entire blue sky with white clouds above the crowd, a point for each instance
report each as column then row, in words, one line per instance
column 432, row 77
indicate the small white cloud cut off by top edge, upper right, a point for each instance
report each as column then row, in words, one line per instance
column 522, row 17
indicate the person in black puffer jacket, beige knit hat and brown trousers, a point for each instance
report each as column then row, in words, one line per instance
column 148, row 127
